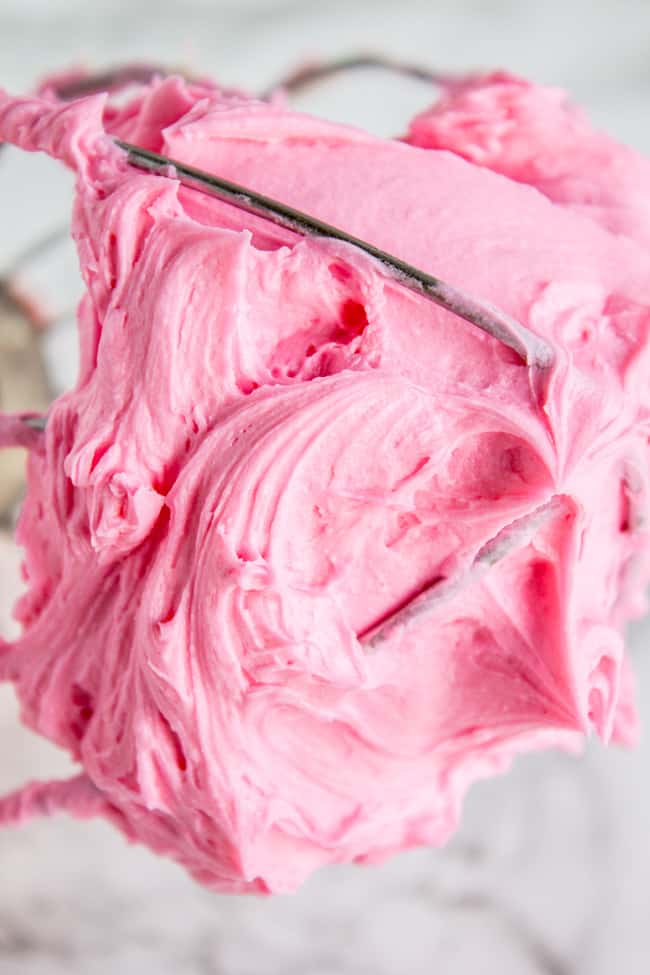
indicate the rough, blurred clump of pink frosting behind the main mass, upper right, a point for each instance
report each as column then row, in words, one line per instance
column 535, row 135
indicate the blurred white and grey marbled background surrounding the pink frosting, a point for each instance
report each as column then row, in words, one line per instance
column 550, row 871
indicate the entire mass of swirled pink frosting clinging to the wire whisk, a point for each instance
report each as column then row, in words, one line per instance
column 271, row 447
